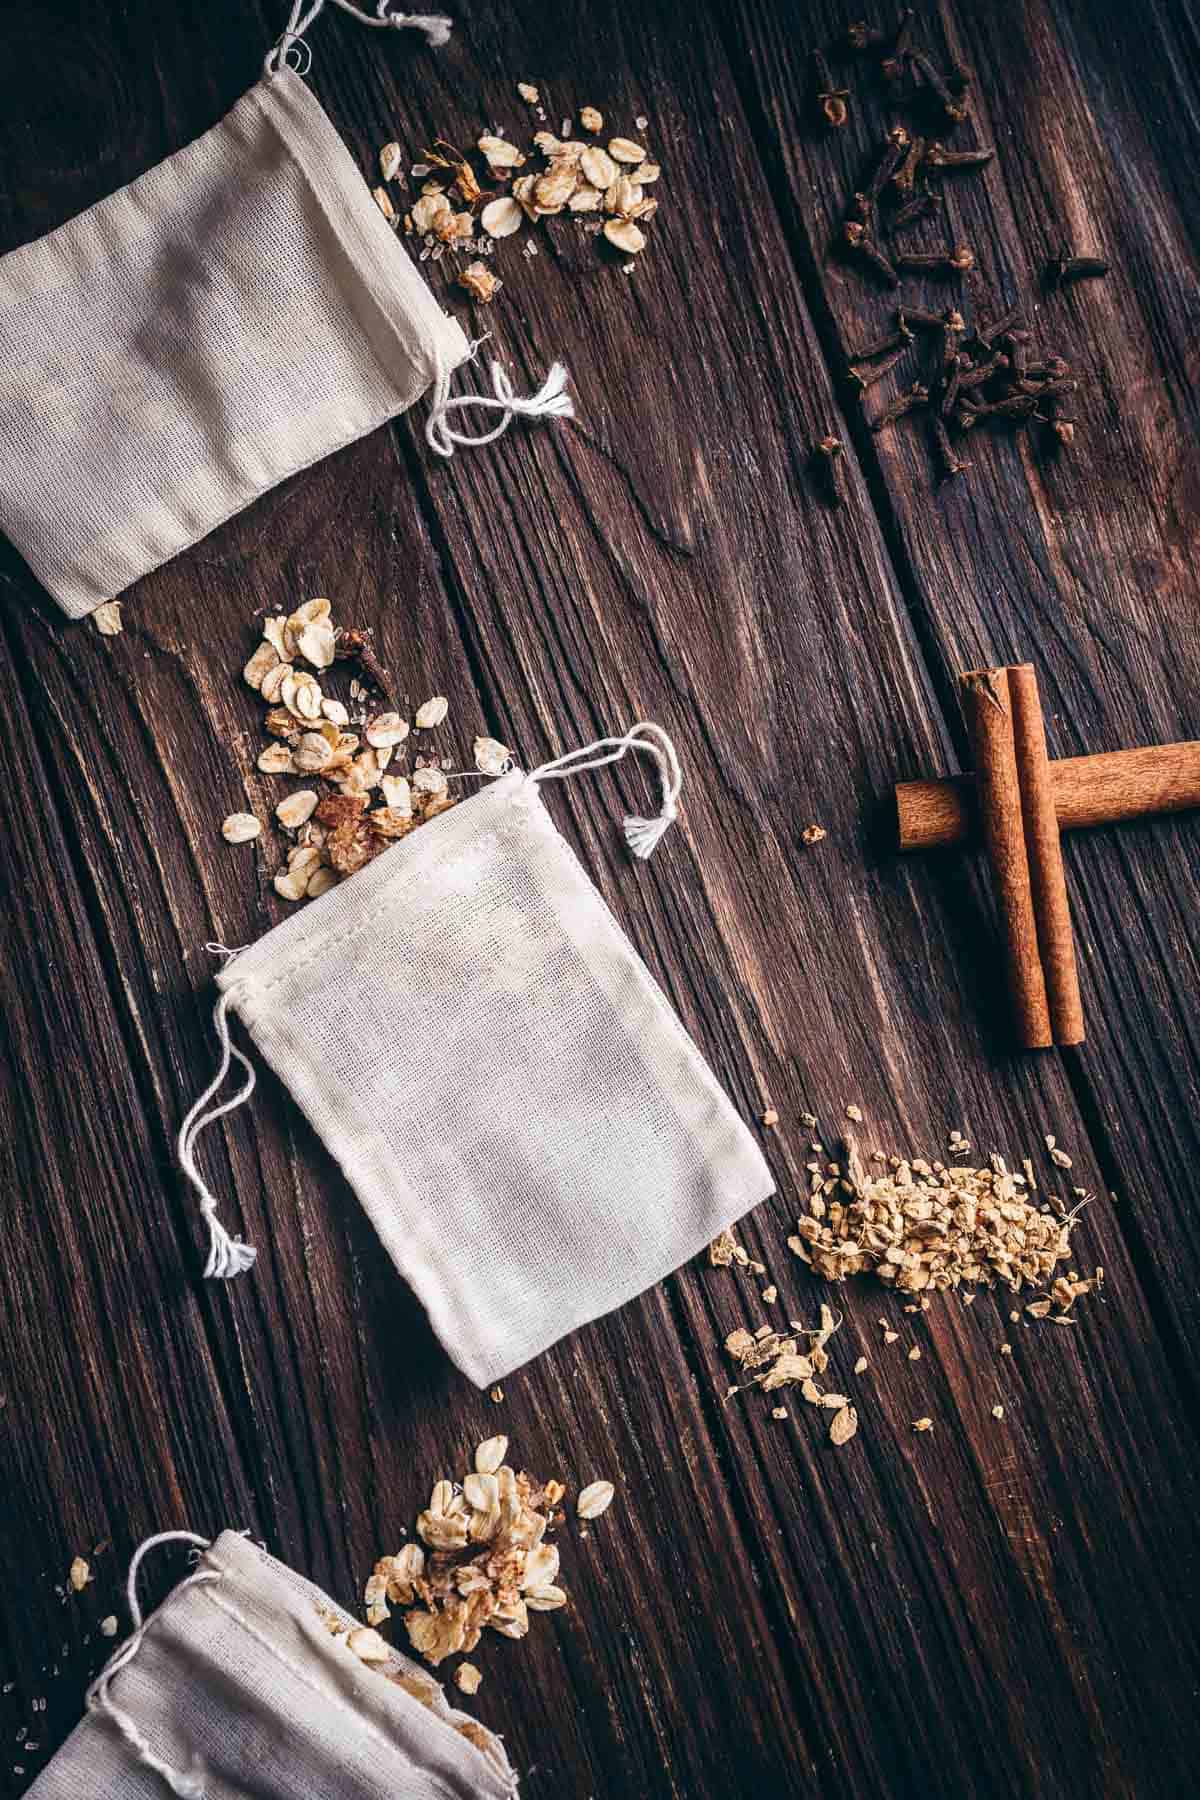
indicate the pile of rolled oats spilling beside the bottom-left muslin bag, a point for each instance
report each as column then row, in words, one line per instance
column 483, row 1560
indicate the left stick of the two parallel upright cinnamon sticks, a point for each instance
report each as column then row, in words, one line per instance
column 998, row 786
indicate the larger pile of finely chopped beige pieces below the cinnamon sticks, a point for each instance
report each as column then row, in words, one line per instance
column 924, row 1227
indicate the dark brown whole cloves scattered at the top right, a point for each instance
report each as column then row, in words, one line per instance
column 974, row 375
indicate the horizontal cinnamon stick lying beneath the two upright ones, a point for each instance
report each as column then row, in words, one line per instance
column 1088, row 791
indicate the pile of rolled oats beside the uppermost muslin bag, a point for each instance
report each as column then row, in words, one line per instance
column 465, row 208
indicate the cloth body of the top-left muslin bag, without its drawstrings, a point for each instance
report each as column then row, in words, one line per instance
column 222, row 323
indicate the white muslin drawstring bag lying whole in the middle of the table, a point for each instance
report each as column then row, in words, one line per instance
column 505, row 1084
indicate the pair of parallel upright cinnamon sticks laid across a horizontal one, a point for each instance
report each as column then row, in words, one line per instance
column 1017, row 813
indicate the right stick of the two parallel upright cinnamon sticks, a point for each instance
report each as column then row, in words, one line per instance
column 1048, row 883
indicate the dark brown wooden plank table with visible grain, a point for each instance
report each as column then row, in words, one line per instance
column 998, row 1608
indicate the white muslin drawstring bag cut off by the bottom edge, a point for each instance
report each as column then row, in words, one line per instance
column 244, row 1682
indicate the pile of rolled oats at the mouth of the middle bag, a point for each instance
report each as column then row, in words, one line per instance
column 359, row 750
